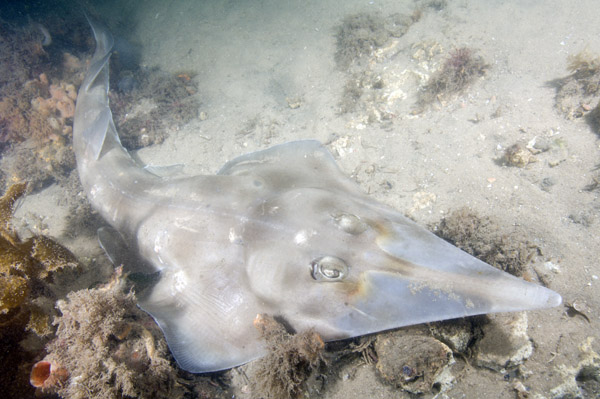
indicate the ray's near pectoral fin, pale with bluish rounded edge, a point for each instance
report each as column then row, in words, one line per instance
column 194, row 321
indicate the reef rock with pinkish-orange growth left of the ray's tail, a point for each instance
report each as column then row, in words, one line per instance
column 37, row 92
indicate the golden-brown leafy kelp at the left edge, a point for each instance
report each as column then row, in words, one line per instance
column 27, row 271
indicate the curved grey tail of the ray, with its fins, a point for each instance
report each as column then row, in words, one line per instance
column 113, row 181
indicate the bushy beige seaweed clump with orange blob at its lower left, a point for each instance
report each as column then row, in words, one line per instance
column 105, row 347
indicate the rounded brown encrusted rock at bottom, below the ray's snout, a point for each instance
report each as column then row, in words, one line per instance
column 413, row 361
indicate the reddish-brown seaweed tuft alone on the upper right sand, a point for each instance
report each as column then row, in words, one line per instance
column 460, row 69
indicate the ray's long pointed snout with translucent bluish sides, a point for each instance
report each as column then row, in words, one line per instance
column 417, row 277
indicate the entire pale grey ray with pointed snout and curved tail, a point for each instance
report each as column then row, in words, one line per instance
column 280, row 231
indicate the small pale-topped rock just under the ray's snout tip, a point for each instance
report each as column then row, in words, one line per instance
column 505, row 343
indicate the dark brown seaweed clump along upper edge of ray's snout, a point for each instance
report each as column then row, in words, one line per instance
column 482, row 238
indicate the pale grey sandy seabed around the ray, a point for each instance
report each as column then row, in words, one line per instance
column 254, row 61
